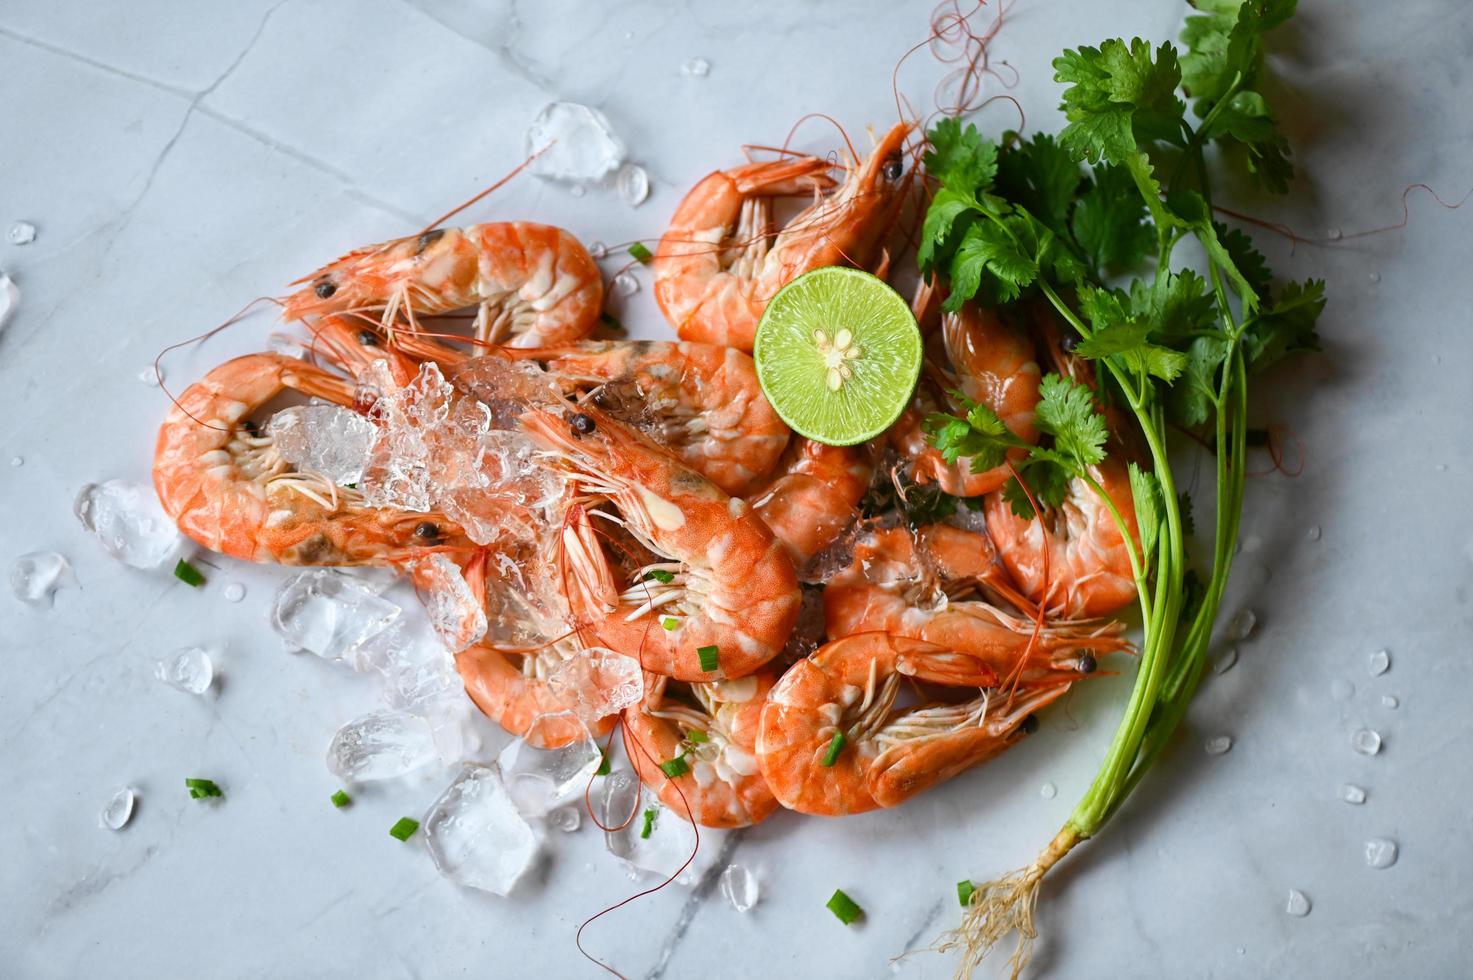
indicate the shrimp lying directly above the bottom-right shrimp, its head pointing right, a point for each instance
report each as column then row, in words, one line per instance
column 896, row 586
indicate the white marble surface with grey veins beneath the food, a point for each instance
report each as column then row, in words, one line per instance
column 180, row 160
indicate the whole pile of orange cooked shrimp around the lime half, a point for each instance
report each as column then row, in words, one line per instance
column 804, row 639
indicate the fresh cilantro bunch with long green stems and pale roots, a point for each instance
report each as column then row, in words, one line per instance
column 1069, row 222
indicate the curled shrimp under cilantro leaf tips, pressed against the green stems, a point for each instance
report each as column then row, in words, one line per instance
column 1089, row 564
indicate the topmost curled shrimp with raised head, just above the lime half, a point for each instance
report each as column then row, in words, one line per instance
column 717, row 269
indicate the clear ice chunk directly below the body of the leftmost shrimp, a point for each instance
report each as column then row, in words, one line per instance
column 329, row 614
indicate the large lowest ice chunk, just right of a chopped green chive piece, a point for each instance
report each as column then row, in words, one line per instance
column 475, row 833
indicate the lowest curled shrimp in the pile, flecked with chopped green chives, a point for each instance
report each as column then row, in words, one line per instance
column 714, row 727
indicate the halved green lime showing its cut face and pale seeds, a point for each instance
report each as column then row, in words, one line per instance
column 837, row 356
